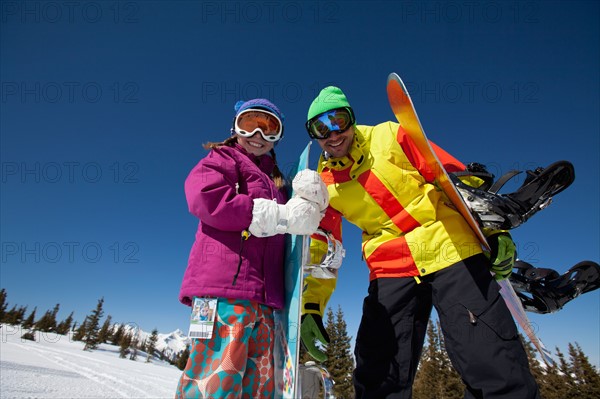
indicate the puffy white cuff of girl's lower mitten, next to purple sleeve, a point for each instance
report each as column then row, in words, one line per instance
column 268, row 218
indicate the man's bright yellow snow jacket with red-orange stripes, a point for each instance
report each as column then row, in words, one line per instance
column 410, row 228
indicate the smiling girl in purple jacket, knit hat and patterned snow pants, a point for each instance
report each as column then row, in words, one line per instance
column 237, row 259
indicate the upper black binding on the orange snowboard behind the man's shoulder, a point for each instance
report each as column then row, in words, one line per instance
column 507, row 211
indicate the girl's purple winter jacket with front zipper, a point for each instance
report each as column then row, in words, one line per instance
column 220, row 192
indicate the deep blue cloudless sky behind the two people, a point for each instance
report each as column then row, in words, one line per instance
column 105, row 106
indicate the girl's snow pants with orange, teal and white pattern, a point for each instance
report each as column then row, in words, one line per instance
column 237, row 362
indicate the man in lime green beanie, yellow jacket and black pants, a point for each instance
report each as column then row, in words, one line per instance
column 420, row 253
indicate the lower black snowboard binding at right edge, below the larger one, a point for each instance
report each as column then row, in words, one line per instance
column 546, row 291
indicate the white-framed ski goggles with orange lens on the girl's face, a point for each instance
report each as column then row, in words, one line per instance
column 252, row 120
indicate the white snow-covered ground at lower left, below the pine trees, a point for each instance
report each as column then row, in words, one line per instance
column 55, row 367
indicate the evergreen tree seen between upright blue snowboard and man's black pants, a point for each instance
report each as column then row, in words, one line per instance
column 340, row 362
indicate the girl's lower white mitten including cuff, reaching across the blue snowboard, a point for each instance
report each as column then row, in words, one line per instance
column 298, row 216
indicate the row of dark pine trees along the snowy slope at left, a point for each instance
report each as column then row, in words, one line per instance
column 91, row 332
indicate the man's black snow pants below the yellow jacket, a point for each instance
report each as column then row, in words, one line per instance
column 479, row 334
